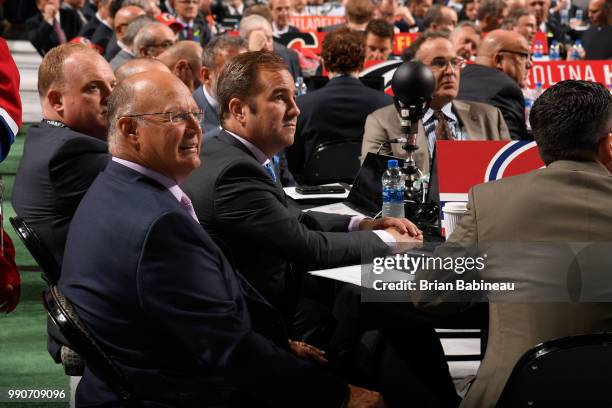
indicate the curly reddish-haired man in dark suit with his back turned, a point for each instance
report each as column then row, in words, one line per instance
column 337, row 111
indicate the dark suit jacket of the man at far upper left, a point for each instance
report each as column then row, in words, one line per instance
column 41, row 34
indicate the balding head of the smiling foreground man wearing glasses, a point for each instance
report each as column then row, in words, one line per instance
column 167, row 142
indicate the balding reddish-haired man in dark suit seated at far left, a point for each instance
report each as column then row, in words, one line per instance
column 65, row 152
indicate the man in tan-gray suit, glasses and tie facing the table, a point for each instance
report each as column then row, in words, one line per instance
column 447, row 118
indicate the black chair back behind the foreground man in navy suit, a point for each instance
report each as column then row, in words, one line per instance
column 64, row 316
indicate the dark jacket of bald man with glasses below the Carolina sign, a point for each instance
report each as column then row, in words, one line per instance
column 489, row 85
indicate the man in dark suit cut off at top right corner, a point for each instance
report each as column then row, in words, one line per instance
column 597, row 40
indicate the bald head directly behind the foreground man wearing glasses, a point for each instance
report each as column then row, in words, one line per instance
column 184, row 59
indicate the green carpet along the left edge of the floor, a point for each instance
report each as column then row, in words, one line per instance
column 24, row 361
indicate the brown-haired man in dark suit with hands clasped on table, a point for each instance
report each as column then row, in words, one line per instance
column 238, row 199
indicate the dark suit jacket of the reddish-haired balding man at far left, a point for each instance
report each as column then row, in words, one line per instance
column 57, row 168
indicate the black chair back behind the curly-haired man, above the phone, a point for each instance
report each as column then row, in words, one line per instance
column 332, row 162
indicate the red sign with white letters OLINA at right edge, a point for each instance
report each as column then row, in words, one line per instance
column 549, row 73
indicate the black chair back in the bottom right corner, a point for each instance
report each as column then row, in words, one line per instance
column 570, row 371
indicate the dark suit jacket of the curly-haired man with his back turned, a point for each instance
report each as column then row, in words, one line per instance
column 335, row 112
